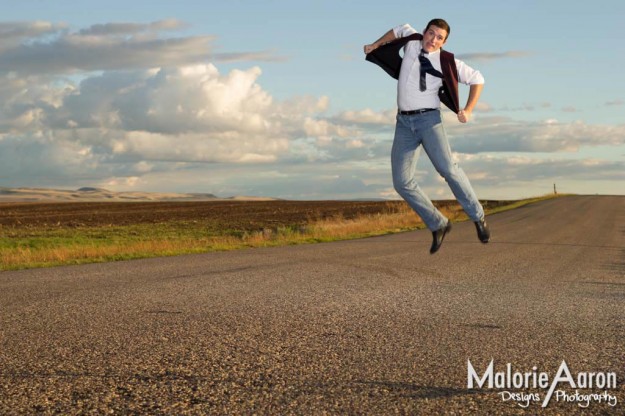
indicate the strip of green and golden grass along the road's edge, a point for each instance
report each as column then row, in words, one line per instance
column 47, row 247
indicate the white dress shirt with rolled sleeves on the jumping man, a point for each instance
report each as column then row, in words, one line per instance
column 409, row 97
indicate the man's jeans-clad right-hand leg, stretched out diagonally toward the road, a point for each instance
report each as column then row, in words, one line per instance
column 437, row 147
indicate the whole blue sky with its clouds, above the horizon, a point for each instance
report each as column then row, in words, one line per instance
column 274, row 98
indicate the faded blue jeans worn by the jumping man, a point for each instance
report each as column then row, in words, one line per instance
column 427, row 129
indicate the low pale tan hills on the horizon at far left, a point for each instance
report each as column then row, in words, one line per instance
column 90, row 194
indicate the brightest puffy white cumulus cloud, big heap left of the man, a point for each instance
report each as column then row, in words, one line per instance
column 172, row 101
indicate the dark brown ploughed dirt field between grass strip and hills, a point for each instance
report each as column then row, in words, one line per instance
column 243, row 215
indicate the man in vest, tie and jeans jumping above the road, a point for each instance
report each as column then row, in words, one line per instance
column 427, row 76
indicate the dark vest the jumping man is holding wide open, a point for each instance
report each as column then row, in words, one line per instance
column 388, row 58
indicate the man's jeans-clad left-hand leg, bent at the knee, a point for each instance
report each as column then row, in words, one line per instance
column 404, row 156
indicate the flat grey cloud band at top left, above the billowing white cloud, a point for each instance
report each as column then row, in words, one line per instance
column 47, row 48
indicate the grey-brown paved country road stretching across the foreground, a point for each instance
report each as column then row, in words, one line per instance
column 372, row 326
